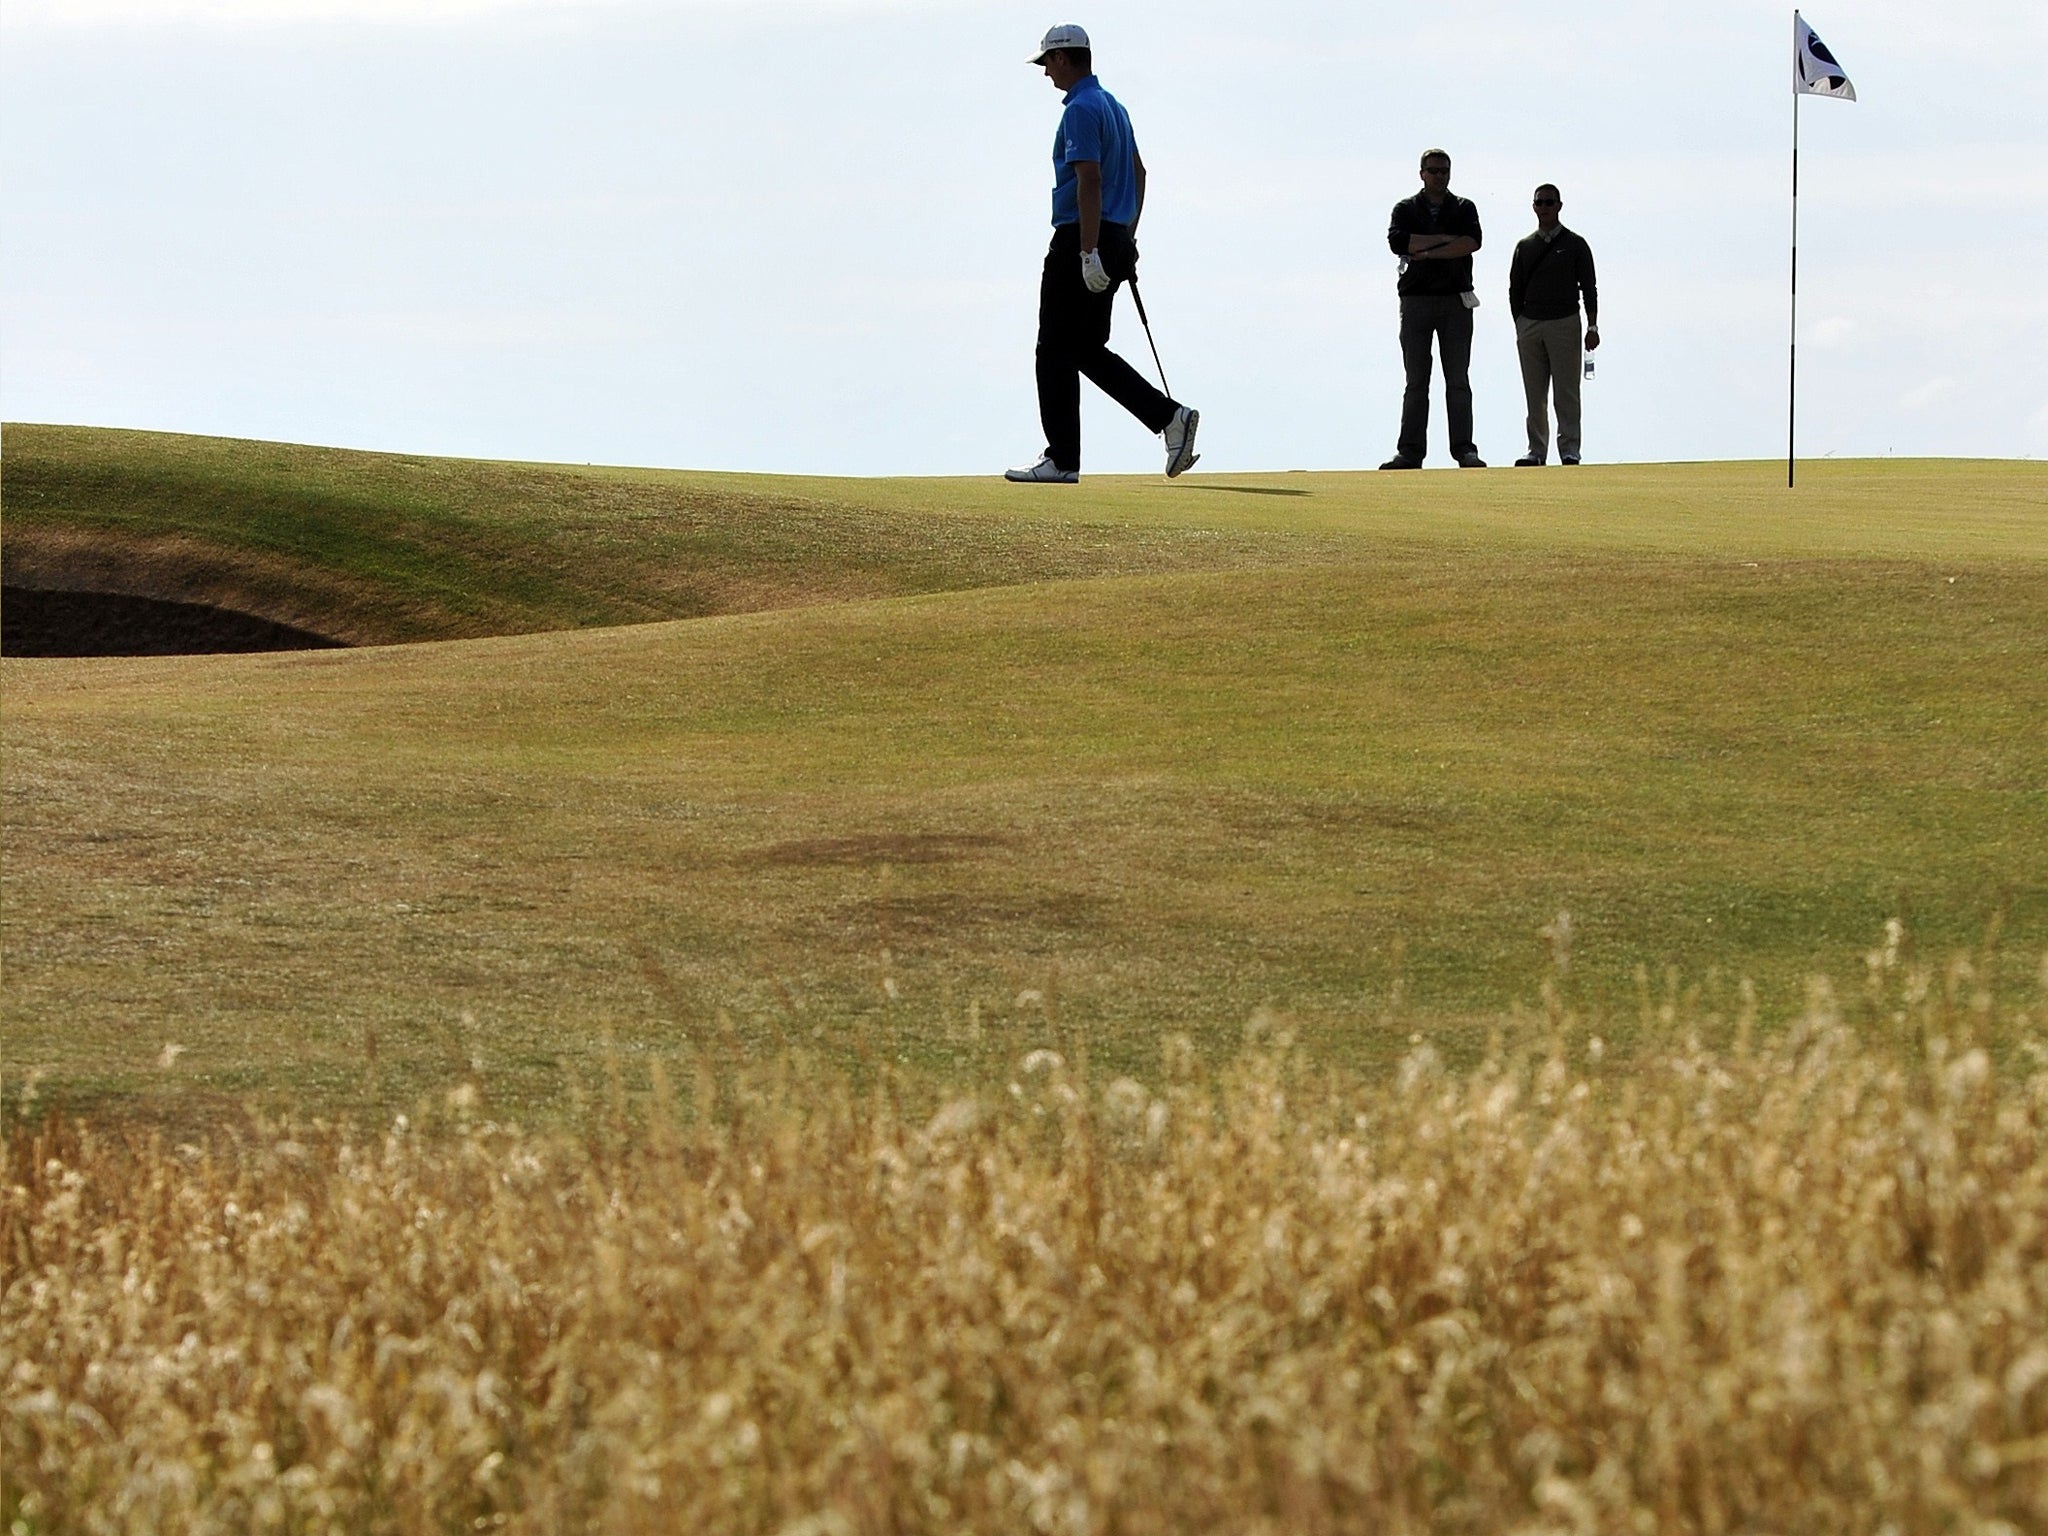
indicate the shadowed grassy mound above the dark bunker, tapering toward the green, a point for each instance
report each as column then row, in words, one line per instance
column 384, row 548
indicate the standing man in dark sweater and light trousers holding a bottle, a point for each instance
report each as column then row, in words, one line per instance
column 1549, row 278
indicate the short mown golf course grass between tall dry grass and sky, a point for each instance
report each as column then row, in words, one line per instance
column 1009, row 765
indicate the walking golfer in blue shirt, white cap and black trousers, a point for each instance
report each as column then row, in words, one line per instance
column 1099, row 191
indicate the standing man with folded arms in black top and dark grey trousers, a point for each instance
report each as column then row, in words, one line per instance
column 1435, row 234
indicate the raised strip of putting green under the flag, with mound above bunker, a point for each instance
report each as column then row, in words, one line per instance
column 388, row 548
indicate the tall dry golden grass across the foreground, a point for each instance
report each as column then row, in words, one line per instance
column 1781, row 1287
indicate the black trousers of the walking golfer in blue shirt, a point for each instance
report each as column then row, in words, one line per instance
column 1074, row 341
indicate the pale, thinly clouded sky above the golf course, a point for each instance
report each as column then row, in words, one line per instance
column 763, row 234
